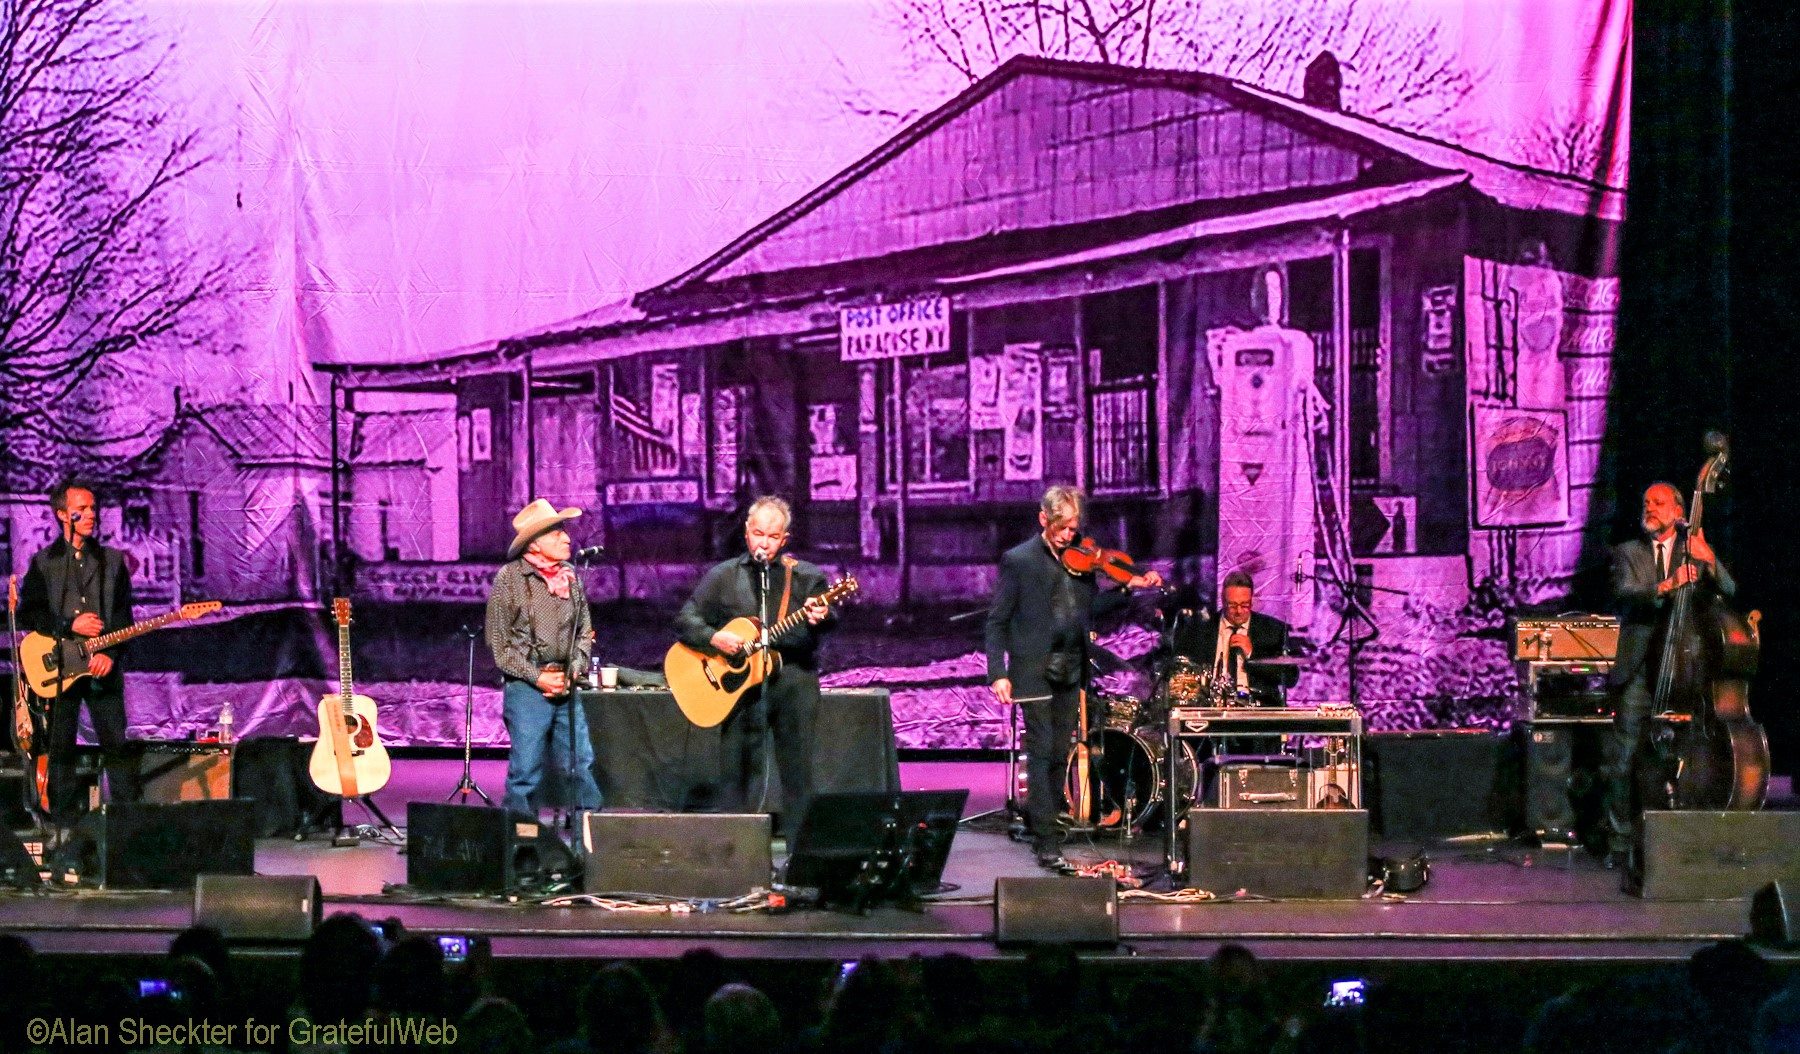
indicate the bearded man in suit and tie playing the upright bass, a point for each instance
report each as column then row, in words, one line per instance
column 1646, row 575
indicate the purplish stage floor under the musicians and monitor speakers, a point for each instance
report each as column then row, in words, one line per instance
column 1489, row 900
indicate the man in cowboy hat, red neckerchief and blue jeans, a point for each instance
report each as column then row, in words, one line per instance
column 541, row 636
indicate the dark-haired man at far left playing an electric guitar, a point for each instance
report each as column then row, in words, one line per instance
column 76, row 589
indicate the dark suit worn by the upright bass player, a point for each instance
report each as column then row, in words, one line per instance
column 1641, row 639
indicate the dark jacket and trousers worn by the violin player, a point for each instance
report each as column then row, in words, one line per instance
column 1039, row 612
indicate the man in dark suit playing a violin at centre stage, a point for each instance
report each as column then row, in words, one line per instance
column 1038, row 652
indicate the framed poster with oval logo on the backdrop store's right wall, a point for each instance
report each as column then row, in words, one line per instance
column 1520, row 470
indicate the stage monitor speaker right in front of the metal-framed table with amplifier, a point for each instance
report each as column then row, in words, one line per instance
column 1281, row 853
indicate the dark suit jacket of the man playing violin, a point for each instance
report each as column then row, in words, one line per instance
column 1041, row 609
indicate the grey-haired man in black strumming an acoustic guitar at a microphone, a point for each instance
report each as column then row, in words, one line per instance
column 766, row 585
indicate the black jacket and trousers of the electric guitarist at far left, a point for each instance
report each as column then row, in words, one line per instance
column 57, row 589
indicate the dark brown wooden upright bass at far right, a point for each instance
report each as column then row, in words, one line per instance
column 1722, row 756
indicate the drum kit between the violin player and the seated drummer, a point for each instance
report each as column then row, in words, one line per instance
column 1129, row 742
